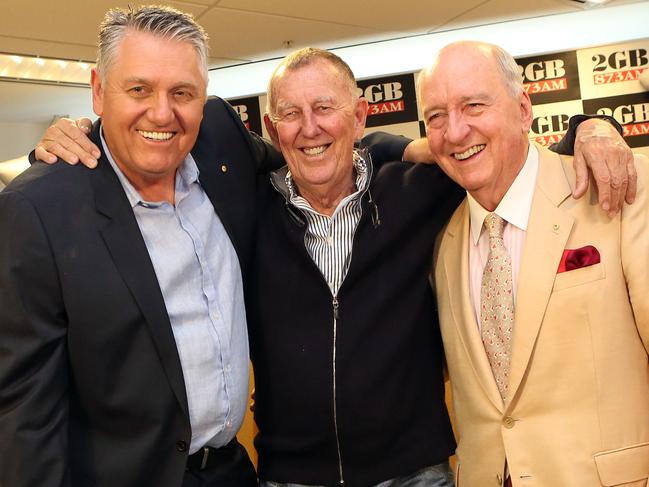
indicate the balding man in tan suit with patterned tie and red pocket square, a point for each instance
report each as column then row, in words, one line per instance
column 545, row 324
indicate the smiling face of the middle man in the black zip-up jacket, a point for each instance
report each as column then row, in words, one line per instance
column 316, row 119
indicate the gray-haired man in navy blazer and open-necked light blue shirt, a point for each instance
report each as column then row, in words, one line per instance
column 93, row 385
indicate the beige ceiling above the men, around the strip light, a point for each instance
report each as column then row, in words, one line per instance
column 240, row 31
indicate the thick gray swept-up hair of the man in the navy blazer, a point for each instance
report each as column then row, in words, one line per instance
column 162, row 21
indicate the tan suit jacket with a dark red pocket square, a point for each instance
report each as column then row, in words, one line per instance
column 577, row 414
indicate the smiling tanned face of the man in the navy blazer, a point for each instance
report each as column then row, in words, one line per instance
column 151, row 105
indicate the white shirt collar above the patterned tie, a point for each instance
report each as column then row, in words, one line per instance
column 515, row 206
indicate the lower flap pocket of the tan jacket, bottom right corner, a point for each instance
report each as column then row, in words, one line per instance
column 623, row 466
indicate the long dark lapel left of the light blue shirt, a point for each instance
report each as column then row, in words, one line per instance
column 126, row 246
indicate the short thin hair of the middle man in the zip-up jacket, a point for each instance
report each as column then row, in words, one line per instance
column 302, row 58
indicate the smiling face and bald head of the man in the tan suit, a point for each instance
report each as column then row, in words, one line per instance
column 476, row 127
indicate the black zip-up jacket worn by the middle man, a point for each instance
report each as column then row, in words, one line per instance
column 389, row 418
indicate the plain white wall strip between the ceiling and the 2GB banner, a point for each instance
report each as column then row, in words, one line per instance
column 552, row 33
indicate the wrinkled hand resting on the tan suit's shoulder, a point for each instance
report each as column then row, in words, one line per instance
column 600, row 147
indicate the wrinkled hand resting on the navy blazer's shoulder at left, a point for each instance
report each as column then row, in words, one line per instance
column 68, row 140
